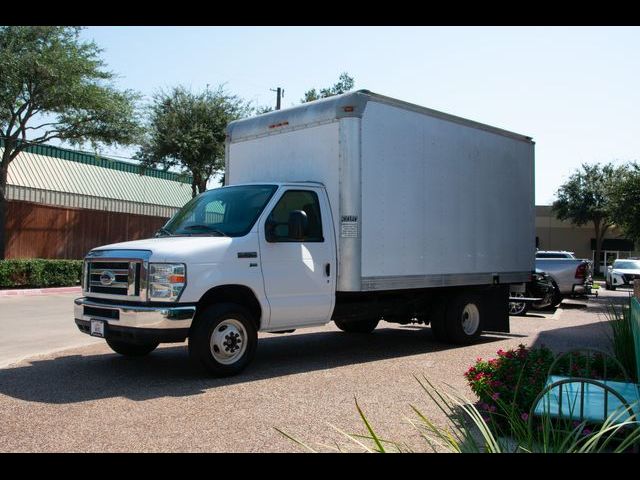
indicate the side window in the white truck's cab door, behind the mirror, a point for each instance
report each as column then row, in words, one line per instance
column 277, row 224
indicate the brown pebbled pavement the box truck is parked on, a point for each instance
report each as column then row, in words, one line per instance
column 86, row 398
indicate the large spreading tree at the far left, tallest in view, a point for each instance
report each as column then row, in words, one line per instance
column 52, row 85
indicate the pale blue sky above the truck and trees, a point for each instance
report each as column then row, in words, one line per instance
column 575, row 90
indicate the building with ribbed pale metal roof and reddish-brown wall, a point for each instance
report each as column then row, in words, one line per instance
column 62, row 203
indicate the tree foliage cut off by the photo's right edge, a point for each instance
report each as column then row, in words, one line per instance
column 625, row 198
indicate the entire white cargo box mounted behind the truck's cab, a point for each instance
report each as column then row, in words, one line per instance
column 420, row 198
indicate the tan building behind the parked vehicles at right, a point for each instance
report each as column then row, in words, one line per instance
column 554, row 234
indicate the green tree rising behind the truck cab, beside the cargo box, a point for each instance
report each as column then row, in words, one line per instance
column 187, row 130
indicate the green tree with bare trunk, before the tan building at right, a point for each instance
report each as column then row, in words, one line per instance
column 587, row 197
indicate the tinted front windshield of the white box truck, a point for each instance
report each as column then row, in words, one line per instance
column 226, row 211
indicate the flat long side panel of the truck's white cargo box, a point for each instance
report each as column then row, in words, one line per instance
column 443, row 203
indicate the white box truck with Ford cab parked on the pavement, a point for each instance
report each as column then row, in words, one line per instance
column 354, row 208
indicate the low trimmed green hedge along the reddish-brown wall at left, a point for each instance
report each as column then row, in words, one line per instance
column 39, row 273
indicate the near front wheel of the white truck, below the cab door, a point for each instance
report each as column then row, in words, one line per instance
column 223, row 339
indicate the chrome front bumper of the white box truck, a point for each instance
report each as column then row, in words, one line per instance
column 159, row 323
